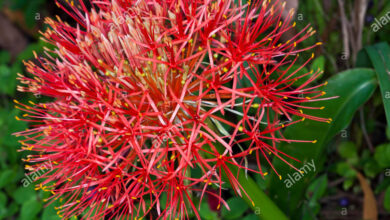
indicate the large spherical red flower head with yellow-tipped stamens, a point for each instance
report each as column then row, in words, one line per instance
column 145, row 93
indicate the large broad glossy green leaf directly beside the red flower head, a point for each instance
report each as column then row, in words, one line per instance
column 353, row 88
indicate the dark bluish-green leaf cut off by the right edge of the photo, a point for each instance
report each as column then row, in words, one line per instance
column 380, row 58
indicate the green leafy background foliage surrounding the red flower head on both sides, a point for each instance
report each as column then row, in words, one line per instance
column 356, row 142
